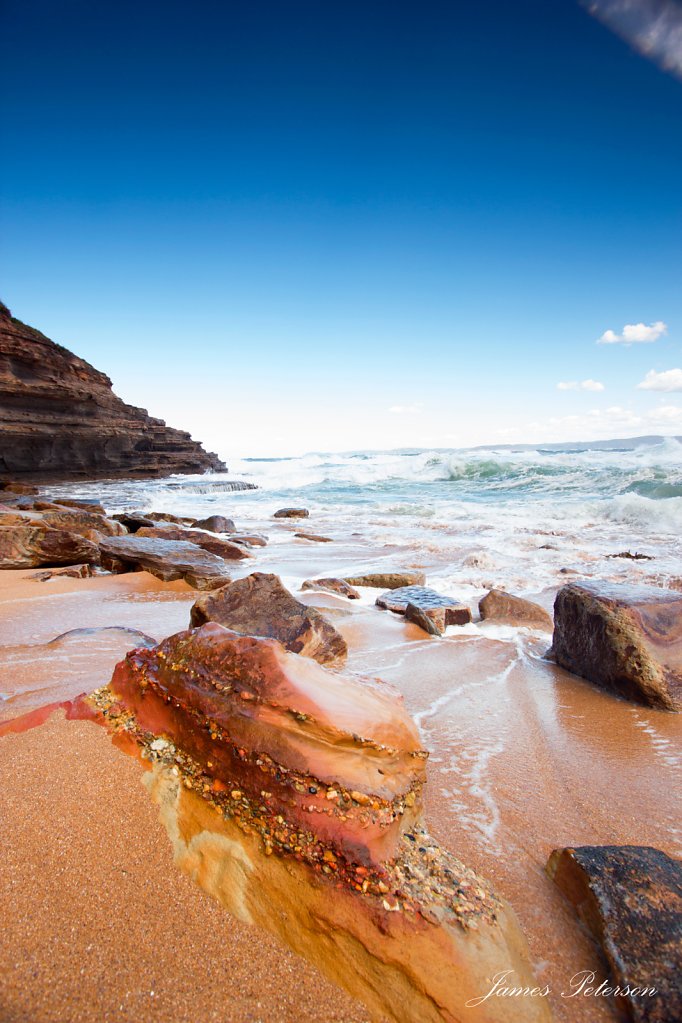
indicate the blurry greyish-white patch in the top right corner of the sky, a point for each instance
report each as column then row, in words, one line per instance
column 654, row 28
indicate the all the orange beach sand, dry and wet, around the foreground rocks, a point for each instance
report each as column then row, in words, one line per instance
column 525, row 759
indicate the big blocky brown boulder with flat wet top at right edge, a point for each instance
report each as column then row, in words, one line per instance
column 624, row 639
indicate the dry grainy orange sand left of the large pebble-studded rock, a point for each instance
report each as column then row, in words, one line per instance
column 98, row 923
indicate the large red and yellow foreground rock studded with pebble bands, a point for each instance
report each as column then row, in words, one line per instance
column 292, row 794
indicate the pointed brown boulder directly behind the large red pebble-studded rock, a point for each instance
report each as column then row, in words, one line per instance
column 261, row 606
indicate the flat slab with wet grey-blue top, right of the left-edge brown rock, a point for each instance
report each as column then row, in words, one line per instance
column 168, row 560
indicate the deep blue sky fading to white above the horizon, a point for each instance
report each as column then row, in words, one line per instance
column 303, row 227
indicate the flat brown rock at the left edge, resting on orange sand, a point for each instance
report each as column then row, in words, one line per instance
column 31, row 547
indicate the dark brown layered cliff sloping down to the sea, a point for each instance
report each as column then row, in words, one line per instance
column 60, row 419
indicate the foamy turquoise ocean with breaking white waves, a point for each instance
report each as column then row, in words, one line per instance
column 525, row 520
